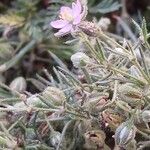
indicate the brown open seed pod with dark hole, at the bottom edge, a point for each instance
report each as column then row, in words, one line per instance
column 94, row 139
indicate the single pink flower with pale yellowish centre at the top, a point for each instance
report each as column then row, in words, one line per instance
column 69, row 18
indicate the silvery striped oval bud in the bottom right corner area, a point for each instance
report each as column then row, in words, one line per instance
column 124, row 134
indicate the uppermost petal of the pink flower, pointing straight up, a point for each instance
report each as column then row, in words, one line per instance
column 76, row 8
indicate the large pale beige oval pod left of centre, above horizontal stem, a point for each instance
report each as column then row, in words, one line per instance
column 54, row 94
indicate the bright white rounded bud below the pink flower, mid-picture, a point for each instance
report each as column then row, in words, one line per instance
column 78, row 57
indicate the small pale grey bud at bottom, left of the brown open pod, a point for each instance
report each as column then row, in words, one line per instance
column 55, row 138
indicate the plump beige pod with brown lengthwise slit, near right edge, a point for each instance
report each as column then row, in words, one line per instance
column 130, row 94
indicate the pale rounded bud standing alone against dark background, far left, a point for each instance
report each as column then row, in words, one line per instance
column 18, row 84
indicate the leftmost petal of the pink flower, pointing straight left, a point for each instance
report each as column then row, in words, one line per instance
column 58, row 24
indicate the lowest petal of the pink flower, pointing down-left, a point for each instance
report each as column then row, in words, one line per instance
column 65, row 30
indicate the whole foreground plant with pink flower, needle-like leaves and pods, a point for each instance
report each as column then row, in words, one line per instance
column 102, row 103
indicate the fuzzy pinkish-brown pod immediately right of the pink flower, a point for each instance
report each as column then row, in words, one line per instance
column 90, row 28
